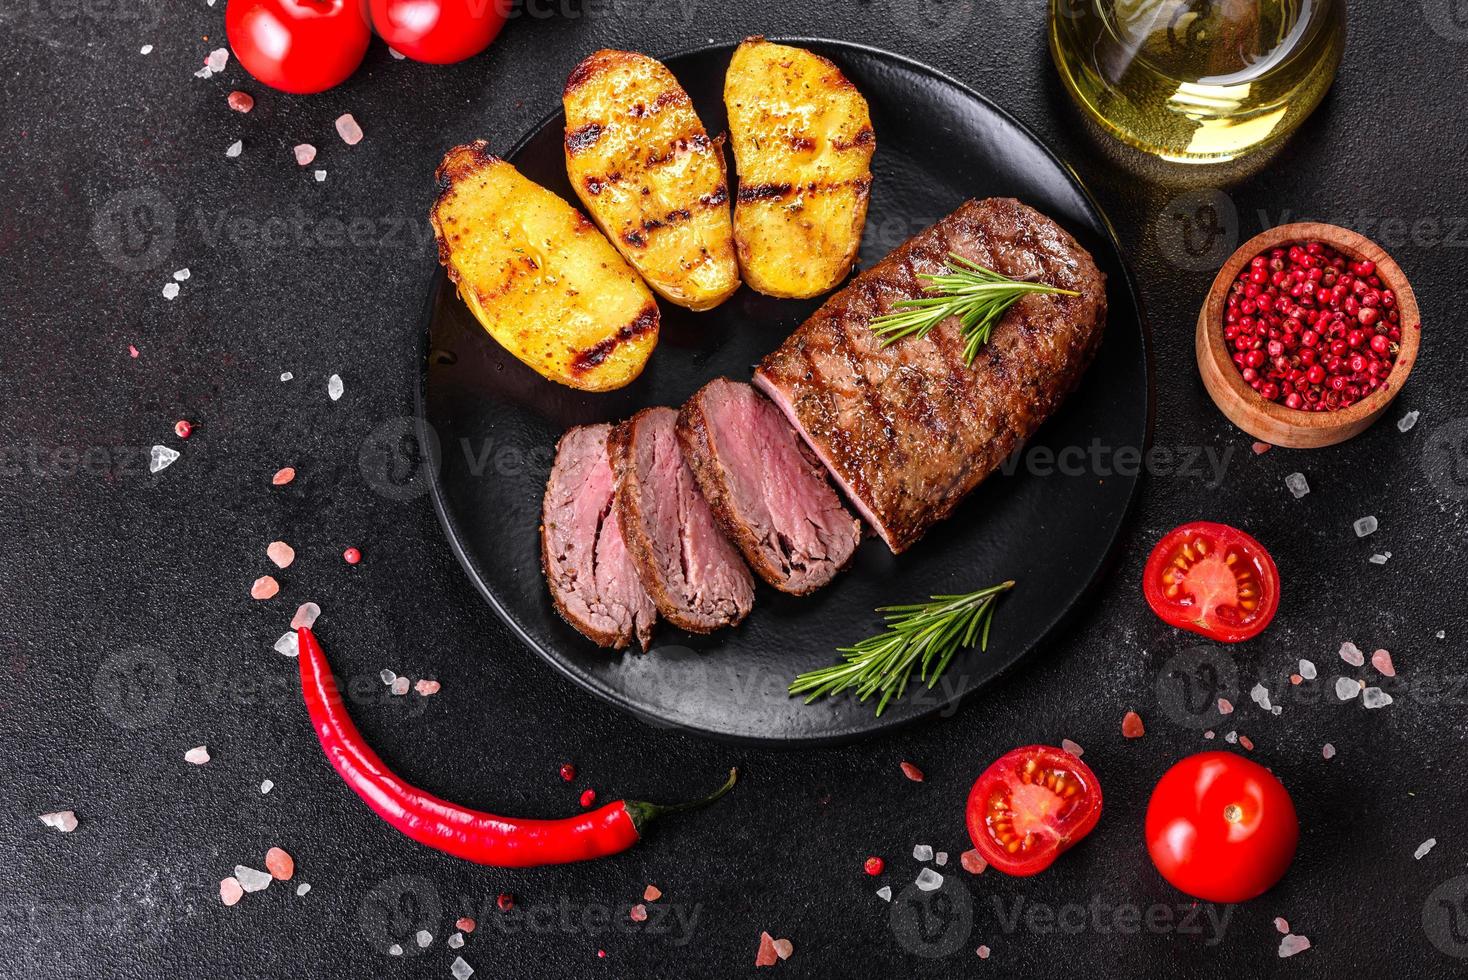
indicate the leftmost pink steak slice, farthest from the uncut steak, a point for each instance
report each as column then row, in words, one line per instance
column 594, row 582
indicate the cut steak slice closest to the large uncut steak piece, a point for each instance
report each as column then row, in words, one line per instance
column 767, row 491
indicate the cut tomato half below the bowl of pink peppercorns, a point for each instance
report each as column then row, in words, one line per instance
column 1213, row 580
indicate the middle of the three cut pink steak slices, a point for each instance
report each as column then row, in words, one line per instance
column 686, row 564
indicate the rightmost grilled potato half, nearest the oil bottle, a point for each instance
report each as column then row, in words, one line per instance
column 804, row 150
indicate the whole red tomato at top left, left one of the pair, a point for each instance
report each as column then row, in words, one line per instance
column 299, row 46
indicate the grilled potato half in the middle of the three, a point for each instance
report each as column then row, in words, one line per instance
column 651, row 178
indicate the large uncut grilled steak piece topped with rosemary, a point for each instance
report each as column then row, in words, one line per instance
column 911, row 429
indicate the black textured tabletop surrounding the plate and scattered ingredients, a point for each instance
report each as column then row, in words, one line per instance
column 114, row 573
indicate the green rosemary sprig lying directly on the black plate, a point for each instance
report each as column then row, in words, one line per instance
column 923, row 636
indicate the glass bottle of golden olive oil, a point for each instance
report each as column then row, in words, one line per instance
column 1199, row 81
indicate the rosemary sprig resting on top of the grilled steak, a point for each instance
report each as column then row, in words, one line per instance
column 978, row 297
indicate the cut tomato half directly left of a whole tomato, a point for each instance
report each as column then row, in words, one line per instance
column 1031, row 806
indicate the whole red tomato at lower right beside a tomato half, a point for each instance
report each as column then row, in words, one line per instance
column 1222, row 828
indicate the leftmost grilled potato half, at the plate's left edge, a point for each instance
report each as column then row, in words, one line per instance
column 539, row 277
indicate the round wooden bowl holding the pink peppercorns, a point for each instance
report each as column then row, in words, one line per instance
column 1272, row 422
